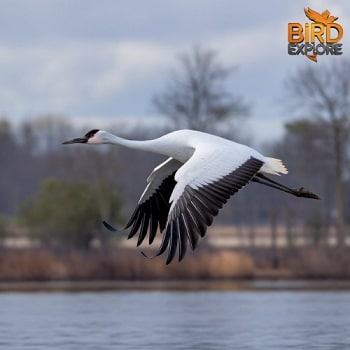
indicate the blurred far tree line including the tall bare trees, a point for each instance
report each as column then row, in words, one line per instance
column 41, row 178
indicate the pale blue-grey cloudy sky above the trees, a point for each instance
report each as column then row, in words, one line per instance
column 98, row 61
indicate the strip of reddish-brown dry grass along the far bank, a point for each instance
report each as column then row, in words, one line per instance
column 206, row 264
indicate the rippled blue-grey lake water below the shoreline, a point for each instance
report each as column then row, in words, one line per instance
column 147, row 319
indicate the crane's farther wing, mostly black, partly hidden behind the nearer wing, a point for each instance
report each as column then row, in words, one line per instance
column 153, row 207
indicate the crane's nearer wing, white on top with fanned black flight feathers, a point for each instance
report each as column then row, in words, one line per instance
column 203, row 185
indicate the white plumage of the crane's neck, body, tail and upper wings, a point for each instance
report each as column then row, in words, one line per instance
column 205, row 157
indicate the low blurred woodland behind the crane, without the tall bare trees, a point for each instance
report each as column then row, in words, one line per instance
column 105, row 183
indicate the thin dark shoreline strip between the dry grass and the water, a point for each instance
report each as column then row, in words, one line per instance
column 176, row 285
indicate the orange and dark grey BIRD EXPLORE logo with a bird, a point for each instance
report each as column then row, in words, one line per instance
column 320, row 37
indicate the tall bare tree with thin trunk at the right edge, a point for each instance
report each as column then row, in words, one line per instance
column 324, row 94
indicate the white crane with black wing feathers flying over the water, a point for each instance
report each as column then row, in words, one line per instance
column 185, row 192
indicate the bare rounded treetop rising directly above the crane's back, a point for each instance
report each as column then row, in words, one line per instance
column 196, row 96
